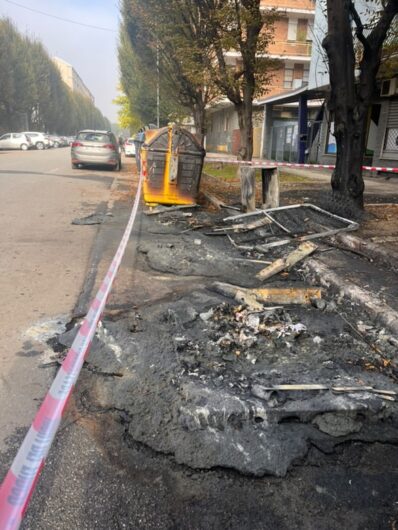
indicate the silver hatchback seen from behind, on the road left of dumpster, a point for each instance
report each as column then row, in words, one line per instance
column 96, row 148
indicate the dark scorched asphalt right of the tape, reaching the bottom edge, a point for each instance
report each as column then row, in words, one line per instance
column 175, row 423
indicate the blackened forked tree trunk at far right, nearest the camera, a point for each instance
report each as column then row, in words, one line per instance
column 351, row 95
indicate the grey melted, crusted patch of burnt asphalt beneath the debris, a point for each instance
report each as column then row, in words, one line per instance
column 194, row 375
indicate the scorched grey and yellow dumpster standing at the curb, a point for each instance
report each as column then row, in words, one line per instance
column 171, row 163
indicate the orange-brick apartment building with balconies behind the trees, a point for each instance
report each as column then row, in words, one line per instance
column 292, row 47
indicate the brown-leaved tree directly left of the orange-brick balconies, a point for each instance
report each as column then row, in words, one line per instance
column 240, row 28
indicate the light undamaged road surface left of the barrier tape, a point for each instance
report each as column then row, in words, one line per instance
column 43, row 262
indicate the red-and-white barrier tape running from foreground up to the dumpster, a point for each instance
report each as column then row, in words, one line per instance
column 20, row 481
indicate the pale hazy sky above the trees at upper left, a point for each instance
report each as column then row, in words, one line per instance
column 92, row 52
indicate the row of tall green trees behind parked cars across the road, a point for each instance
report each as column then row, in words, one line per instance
column 32, row 93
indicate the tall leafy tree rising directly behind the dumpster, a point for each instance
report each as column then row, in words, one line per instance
column 166, row 39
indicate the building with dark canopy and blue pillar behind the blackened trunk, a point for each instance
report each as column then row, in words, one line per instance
column 298, row 126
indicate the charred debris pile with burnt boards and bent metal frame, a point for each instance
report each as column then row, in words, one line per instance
column 250, row 364
